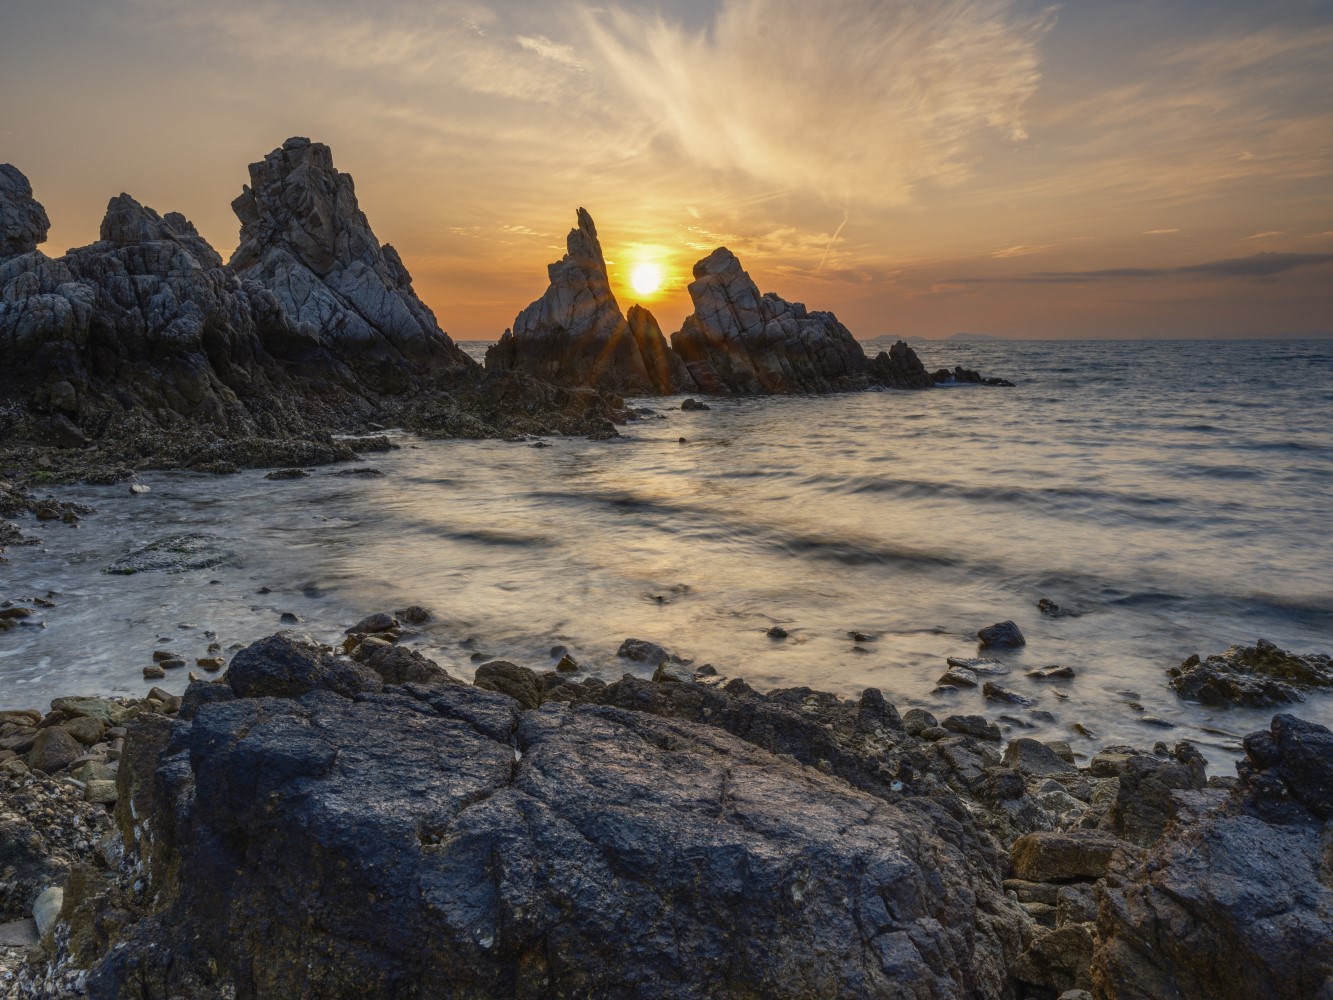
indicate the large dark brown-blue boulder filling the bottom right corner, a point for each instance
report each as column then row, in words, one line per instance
column 1238, row 902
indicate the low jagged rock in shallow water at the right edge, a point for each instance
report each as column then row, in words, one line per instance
column 1258, row 677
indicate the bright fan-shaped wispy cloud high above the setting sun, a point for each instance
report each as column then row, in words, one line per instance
column 860, row 102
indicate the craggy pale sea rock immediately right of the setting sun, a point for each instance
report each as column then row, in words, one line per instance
column 746, row 343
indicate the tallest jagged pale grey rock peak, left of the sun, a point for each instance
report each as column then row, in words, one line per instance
column 306, row 239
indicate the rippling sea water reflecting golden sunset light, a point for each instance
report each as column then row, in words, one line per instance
column 1178, row 497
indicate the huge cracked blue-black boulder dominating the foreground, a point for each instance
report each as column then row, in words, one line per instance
column 439, row 842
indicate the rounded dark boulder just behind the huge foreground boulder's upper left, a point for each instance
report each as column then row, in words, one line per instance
column 286, row 667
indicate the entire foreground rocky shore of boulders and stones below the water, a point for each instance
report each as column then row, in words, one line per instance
column 339, row 821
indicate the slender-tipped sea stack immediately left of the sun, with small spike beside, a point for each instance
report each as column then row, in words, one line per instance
column 577, row 335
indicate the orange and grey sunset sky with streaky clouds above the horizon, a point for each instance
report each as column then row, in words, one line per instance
column 1087, row 170
